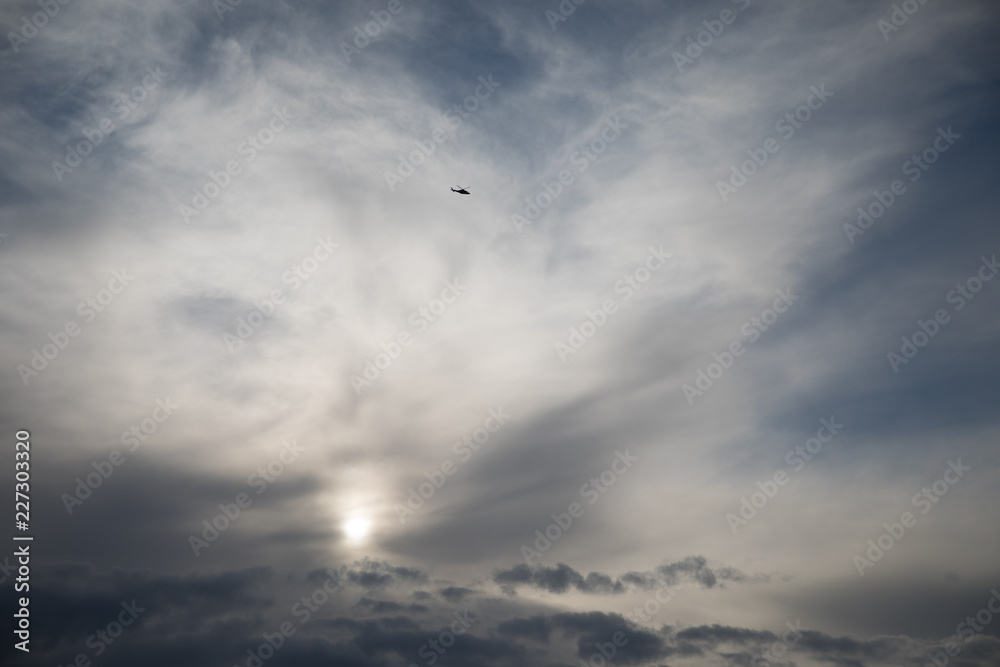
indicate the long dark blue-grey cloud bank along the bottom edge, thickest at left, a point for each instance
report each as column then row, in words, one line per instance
column 166, row 603
